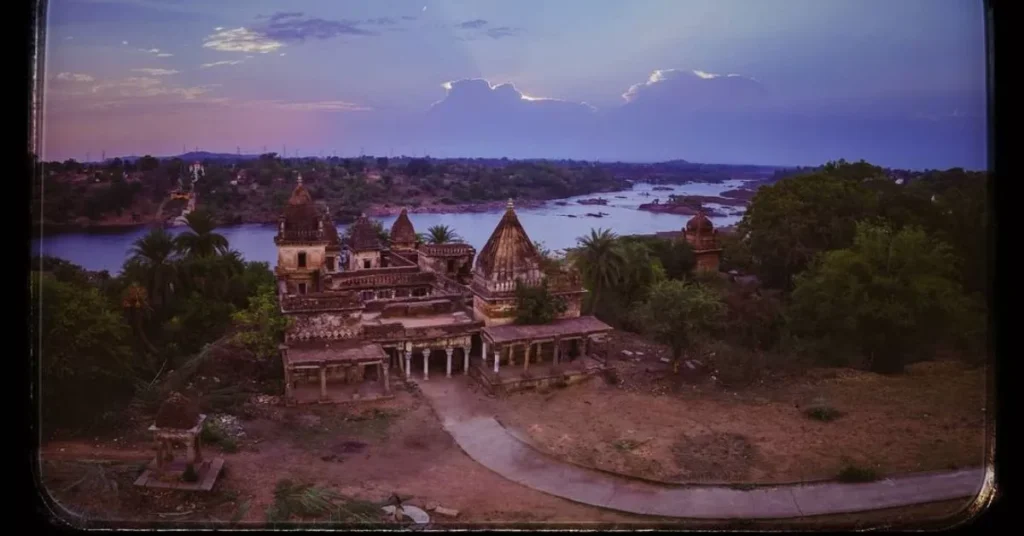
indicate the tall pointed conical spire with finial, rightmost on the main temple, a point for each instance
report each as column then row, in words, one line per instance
column 509, row 252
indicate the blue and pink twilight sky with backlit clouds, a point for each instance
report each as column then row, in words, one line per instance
column 774, row 83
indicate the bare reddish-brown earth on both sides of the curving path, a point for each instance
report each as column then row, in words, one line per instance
column 929, row 420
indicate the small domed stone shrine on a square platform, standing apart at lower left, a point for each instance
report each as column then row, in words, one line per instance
column 179, row 425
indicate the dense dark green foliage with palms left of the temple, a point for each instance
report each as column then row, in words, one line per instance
column 103, row 338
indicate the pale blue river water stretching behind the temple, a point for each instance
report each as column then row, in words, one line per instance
column 548, row 224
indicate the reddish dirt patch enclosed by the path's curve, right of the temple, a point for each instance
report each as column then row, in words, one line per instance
column 931, row 419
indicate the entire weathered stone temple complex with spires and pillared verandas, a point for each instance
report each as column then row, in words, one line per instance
column 368, row 309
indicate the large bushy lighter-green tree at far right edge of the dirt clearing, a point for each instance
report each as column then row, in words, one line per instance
column 890, row 298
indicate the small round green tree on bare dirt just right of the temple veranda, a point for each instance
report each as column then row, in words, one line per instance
column 676, row 313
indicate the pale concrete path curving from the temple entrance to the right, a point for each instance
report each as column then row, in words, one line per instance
column 485, row 440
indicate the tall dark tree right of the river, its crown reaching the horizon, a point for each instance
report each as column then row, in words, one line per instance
column 791, row 222
